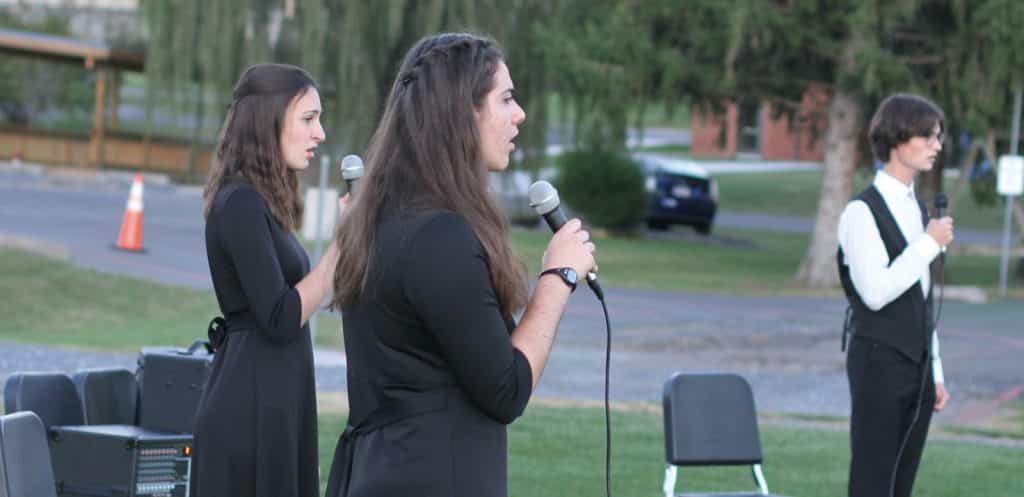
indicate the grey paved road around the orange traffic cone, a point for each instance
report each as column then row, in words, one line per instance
column 86, row 218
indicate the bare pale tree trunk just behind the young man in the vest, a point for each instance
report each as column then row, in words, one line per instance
column 819, row 269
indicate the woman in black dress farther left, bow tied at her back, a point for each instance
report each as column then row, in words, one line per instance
column 255, row 431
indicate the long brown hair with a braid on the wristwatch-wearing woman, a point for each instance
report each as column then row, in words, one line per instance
column 425, row 155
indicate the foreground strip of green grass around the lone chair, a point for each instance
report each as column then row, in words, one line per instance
column 561, row 451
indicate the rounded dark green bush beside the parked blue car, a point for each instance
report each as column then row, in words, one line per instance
column 606, row 187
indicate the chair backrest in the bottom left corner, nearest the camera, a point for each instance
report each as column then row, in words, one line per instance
column 25, row 458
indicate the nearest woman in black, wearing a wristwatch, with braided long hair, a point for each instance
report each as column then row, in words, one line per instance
column 429, row 284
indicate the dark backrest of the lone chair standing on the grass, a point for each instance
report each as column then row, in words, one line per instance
column 710, row 420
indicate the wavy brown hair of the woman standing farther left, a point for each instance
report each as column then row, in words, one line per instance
column 250, row 140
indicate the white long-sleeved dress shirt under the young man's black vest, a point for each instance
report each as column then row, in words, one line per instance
column 876, row 280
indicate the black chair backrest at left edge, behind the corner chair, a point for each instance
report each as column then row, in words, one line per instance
column 51, row 396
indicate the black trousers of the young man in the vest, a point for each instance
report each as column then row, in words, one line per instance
column 886, row 443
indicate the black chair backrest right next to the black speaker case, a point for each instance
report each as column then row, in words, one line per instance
column 109, row 395
